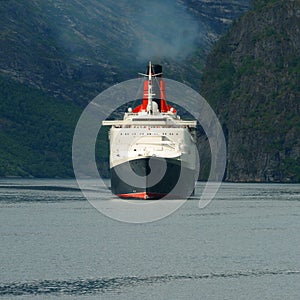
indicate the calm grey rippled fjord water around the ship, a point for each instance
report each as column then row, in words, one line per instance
column 244, row 245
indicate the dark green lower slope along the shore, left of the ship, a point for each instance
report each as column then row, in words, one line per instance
column 36, row 132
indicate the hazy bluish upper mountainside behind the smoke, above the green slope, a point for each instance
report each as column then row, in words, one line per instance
column 76, row 49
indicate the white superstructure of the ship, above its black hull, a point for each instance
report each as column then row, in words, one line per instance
column 142, row 135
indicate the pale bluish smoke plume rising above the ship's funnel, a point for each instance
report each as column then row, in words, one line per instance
column 170, row 32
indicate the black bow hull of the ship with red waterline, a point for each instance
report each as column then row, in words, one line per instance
column 164, row 188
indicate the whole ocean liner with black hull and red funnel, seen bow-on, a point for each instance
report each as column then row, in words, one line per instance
column 152, row 150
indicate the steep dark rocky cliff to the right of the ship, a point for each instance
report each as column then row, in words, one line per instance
column 252, row 80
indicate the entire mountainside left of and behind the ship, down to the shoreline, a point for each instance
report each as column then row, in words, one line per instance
column 56, row 56
